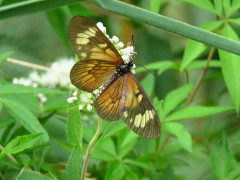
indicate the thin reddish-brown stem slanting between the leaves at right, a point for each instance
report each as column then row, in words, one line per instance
column 200, row 78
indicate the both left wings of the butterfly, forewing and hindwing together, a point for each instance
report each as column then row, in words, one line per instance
column 98, row 57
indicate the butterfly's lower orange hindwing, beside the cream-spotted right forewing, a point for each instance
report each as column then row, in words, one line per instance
column 108, row 103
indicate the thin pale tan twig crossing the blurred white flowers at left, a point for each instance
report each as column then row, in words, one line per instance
column 35, row 66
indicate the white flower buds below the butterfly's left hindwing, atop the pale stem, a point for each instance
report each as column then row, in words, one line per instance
column 86, row 99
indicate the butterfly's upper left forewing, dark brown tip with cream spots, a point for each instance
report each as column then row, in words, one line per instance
column 90, row 42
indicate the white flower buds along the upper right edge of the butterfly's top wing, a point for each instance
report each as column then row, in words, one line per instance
column 126, row 53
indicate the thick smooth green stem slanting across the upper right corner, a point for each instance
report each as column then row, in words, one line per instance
column 171, row 25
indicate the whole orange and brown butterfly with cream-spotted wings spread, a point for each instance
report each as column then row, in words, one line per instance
column 101, row 65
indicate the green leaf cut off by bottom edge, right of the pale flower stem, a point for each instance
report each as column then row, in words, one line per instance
column 115, row 170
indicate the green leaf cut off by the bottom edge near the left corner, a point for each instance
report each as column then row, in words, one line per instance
column 29, row 175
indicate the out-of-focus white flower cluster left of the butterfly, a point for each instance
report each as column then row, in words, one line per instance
column 58, row 77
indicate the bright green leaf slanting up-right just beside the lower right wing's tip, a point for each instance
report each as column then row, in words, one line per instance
column 174, row 98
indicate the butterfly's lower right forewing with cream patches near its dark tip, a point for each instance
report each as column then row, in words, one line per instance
column 136, row 109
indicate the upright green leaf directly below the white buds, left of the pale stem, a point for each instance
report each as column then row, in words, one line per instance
column 74, row 125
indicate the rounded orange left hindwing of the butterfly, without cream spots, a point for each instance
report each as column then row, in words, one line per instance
column 89, row 75
